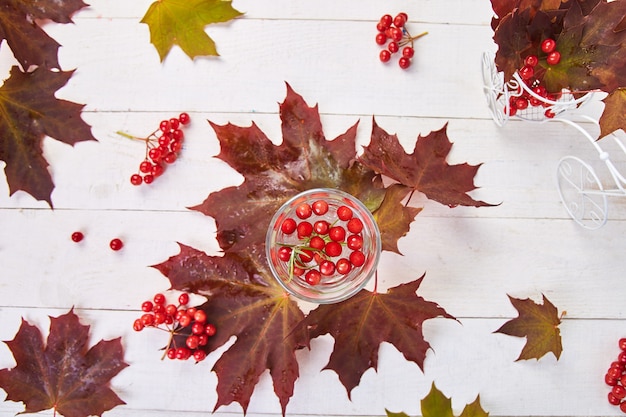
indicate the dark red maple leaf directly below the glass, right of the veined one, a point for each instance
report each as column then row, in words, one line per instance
column 361, row 323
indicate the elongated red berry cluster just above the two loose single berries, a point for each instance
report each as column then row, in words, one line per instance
column 162, row 148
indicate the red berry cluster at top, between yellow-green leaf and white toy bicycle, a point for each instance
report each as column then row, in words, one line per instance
column 393, row 34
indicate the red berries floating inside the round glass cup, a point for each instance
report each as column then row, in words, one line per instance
column 319, row 251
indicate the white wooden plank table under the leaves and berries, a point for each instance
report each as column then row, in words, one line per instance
column 473, row 258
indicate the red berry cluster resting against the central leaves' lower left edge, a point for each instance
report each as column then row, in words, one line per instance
column 177, row 320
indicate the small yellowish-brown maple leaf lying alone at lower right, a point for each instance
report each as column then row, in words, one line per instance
column 539, row 323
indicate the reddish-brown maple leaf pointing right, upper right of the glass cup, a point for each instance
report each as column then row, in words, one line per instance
column 426, row 169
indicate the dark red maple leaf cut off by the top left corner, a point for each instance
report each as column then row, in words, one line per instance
column 29, row 43
